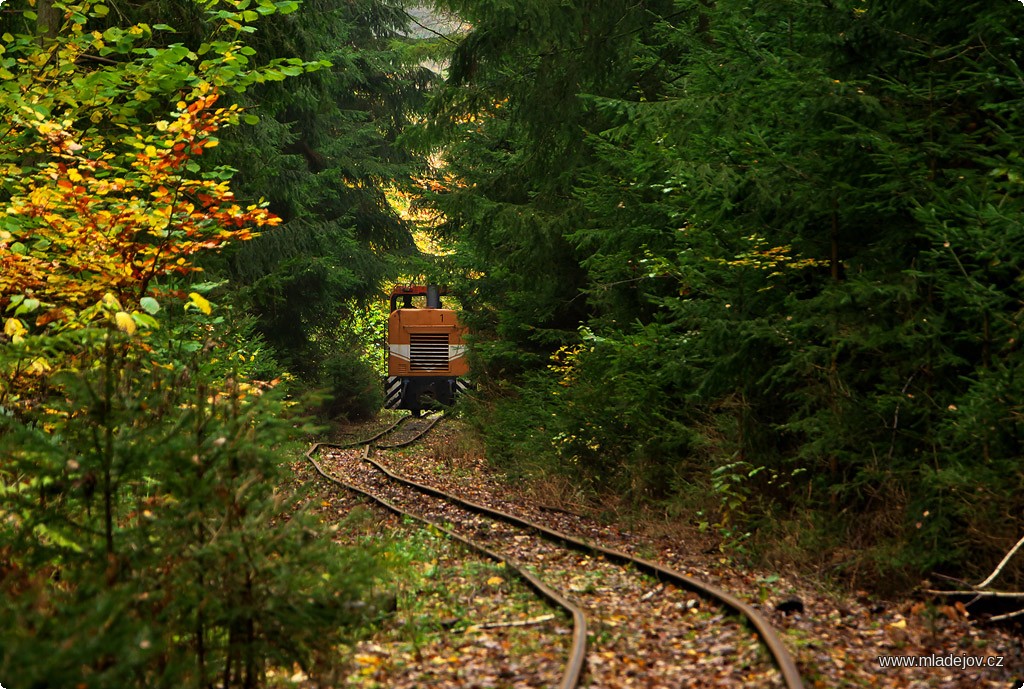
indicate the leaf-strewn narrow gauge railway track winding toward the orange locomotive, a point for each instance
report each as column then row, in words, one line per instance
column 647, row 613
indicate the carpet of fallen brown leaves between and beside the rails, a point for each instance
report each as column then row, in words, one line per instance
column 635, row 635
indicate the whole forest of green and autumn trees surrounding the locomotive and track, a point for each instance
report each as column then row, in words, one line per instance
column 752, row 267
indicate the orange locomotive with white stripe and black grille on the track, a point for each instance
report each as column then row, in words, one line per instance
column 426, row 364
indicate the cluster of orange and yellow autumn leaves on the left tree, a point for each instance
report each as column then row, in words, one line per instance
column 117, row 228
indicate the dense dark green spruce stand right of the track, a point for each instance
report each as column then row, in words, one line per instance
column 790, row 234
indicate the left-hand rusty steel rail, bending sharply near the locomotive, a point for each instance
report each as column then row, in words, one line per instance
column 578, row 656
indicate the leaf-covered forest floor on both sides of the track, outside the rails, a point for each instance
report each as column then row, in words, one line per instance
column 836, row 638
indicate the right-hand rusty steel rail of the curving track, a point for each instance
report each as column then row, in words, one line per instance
column 769, row 635
